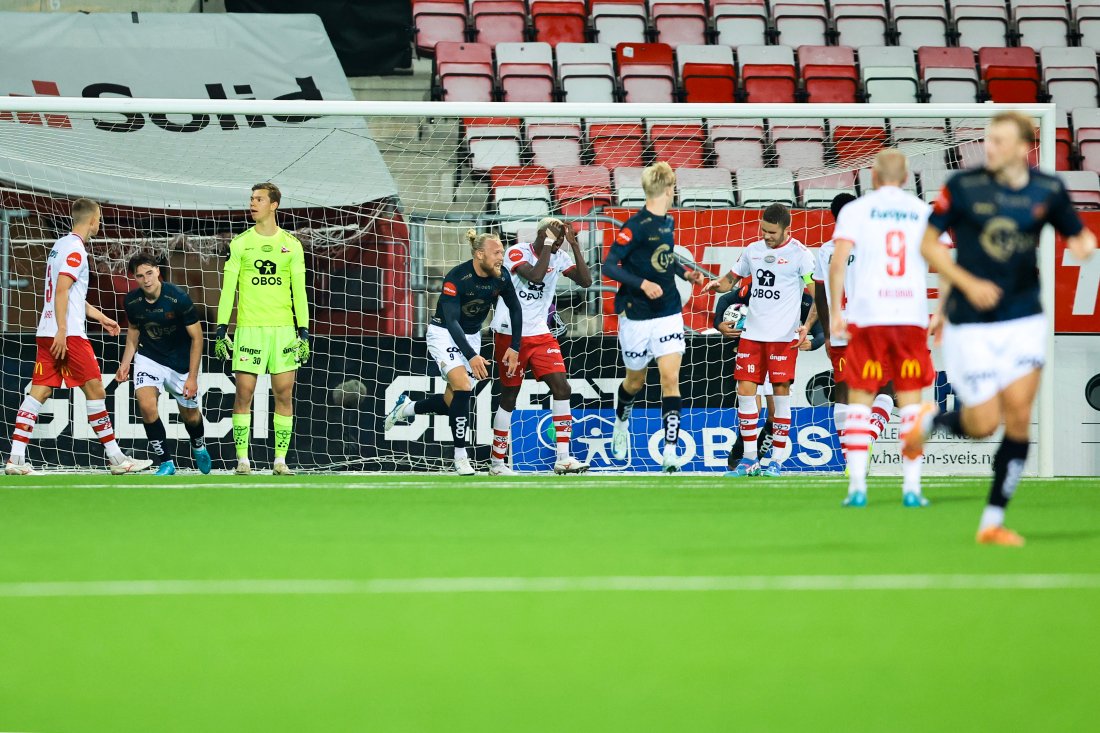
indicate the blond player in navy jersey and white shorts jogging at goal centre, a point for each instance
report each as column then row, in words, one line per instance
column 652, row 323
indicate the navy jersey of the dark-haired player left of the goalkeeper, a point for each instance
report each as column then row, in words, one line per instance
column 163, row 326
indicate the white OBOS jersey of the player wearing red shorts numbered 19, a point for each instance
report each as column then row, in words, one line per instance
column 778, row 281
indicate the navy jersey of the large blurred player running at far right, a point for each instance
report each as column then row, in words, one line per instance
column 996, row 232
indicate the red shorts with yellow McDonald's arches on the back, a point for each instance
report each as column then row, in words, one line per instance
column 878, row 355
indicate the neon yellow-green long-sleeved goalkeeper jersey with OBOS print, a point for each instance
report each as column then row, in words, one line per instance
column 270, row 272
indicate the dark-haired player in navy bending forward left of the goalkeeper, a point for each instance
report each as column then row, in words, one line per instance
column 167, row 337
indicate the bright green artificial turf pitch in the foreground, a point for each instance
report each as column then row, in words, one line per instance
column 941, row 660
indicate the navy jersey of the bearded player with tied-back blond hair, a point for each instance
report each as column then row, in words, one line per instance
column 468, row 298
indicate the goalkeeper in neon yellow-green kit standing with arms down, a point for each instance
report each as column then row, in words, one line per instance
column 268, row 266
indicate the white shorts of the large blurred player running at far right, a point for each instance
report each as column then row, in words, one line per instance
column 983, row 359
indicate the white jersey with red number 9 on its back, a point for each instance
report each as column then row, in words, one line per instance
column 889, row 282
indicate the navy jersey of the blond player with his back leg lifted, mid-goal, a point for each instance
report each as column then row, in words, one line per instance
column 643, row 250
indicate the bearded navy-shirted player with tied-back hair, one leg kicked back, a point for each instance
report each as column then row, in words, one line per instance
column 470, row 290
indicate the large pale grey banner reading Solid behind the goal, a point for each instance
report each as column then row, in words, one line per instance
column 182, row 162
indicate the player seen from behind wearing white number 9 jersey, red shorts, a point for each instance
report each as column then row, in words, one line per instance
column 887, row 315
